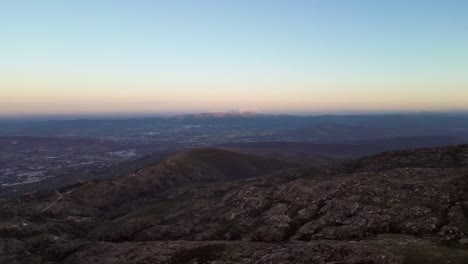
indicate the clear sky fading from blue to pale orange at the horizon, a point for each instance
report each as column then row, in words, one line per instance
column 174, row 56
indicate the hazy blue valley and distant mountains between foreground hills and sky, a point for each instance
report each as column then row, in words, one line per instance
column 38, row 154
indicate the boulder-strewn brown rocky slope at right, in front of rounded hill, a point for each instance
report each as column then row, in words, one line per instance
column 427, row 200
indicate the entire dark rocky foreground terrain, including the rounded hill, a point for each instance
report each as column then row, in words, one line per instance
column 219, row 206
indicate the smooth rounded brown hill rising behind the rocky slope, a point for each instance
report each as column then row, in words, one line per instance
column 196, row 165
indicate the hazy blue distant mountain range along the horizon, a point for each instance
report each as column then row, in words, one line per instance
column 267, row 127
